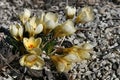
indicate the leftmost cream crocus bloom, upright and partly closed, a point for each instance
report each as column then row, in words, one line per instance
column 17, row 31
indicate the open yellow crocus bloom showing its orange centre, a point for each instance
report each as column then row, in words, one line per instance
column 31, row 43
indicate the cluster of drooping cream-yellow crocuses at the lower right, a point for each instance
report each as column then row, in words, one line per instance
column 70, row 56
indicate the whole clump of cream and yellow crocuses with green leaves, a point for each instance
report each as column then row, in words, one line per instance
column 40, row 33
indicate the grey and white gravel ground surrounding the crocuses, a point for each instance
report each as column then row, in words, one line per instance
column 103, row 32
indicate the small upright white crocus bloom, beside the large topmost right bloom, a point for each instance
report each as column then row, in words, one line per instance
column 70, row 11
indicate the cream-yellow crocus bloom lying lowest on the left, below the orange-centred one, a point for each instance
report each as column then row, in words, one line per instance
column 32, row 61
